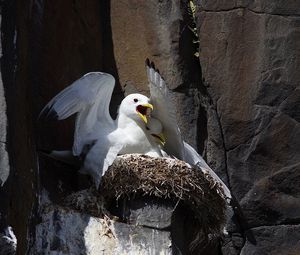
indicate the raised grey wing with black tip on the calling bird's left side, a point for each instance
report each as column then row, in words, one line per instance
column 89, row 97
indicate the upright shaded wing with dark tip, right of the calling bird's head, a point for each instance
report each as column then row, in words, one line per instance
column 164, row 112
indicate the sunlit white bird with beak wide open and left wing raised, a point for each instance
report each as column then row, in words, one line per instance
column 97, row 135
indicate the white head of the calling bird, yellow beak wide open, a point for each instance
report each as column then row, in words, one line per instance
column 136, row 106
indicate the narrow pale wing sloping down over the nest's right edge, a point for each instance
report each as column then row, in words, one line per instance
column 192, row 157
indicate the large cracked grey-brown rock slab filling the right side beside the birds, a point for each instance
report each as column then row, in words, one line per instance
column 250, row 66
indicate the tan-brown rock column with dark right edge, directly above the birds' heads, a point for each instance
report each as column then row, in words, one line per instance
column 158, row 30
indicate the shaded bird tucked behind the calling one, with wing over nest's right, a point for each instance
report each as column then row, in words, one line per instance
column 163, row 121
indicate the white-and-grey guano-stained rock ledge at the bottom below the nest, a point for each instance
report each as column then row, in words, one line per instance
column 69, row 232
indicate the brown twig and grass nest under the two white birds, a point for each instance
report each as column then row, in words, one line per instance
column 171, row 179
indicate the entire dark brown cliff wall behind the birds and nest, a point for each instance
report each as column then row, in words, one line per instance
column 238, row 103
